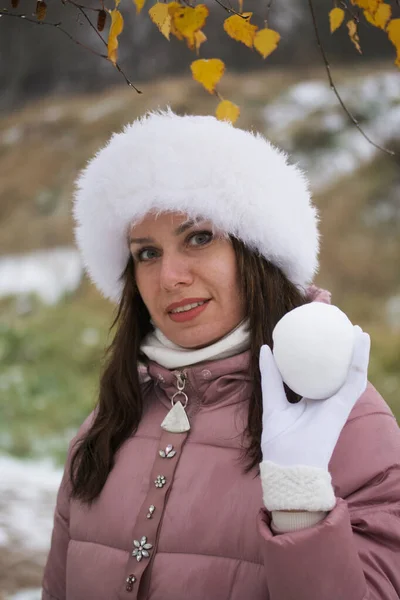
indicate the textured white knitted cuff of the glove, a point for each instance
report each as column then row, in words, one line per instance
column 298, row 487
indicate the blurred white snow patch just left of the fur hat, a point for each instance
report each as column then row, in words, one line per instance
column 47, row 273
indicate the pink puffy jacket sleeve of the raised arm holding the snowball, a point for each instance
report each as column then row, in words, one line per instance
column 354, row 553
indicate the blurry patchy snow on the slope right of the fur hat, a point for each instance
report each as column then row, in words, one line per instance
column 341, row 148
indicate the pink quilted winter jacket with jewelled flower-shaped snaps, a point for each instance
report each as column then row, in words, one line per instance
column 210, row 537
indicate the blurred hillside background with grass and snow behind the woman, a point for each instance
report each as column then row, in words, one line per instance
column 58, row 104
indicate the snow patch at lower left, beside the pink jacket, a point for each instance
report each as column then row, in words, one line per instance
column 28, row 491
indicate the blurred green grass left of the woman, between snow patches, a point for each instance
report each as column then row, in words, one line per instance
column 50, row 365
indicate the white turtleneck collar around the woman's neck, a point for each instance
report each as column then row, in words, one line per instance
column 156, row 346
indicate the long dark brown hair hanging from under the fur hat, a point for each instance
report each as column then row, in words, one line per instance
column 268, row 295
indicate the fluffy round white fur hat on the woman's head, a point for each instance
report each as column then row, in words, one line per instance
column 202, row 167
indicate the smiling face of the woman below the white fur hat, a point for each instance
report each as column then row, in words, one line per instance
column 186, row 261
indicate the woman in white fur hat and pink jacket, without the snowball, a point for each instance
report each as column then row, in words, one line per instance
column 206, row 237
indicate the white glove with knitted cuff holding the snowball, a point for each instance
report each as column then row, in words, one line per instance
column 298, row 440
